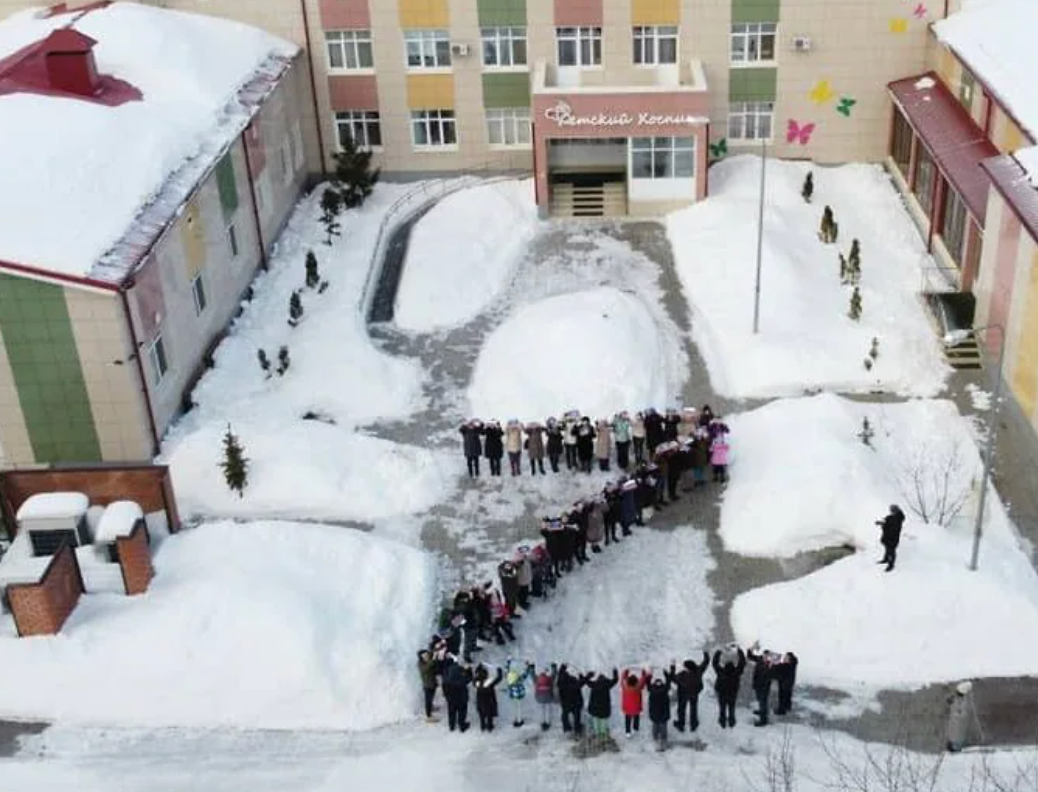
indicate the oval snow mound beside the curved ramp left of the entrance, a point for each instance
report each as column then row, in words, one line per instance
column 463, row 253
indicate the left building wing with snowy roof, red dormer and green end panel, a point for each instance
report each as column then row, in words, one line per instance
column 136, row 204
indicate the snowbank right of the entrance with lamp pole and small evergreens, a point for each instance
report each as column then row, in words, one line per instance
column 807, row 340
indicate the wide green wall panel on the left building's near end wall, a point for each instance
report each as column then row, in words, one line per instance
column 48, row 376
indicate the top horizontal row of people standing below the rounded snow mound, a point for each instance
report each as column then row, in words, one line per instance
column 576, row 442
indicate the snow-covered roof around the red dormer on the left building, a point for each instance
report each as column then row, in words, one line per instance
column 78, row 172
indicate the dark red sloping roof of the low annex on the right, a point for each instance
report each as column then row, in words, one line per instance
column 953, row 140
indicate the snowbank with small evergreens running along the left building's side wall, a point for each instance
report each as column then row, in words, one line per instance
column 320, row 468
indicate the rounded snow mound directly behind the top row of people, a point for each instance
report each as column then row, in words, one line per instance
column 598, row 351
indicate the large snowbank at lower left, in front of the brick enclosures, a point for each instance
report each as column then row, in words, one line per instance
column 259, row 625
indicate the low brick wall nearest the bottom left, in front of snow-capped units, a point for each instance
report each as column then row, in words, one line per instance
column 42, row 609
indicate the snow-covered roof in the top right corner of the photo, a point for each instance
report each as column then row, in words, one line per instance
column 996, row 41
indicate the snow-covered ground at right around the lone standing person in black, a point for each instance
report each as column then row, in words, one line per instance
column 803, row 480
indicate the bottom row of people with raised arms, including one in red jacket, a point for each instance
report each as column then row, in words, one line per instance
column 662, row 694
